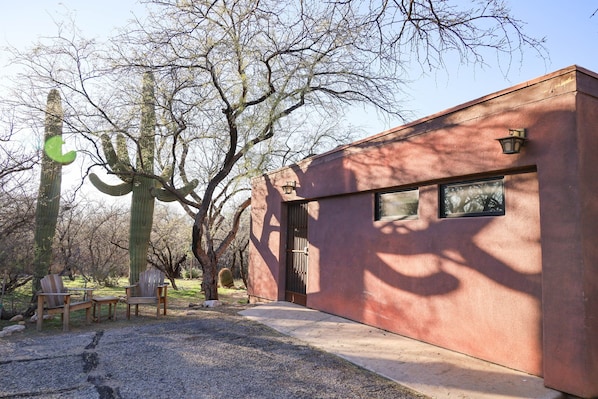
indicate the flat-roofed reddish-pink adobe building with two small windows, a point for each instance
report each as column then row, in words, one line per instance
column 430, row 231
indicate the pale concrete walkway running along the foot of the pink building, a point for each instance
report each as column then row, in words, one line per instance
column 430, row 370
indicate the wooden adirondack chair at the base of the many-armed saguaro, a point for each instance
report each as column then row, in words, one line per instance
column 150, row 290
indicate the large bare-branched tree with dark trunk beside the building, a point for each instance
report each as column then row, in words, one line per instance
column 236, row 79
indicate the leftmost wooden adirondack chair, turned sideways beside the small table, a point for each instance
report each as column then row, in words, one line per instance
column 55, row 299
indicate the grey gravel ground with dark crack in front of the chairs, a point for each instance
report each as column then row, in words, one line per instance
column 213, row 355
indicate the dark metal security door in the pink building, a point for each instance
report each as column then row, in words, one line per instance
column 297, row 249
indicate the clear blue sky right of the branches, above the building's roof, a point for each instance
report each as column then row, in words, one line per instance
column 571, row 36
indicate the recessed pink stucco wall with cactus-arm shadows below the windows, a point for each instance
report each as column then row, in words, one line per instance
column 419, row 277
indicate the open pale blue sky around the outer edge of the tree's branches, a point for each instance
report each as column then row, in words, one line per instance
column 570, row 31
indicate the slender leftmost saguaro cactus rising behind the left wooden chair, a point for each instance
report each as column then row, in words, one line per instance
column 48, row 197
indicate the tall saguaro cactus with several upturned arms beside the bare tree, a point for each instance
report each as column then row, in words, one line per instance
column 137, row 180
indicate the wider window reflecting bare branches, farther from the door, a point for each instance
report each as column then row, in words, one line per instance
column 473, row 198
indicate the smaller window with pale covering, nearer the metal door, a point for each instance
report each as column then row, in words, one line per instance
column 397, row 205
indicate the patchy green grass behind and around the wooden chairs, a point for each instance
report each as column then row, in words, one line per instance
column 188, row 292
